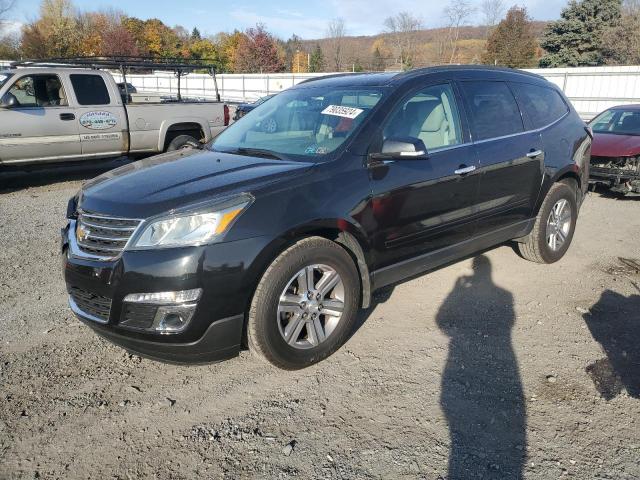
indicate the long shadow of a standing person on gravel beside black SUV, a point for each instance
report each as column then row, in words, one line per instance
column 482, row 395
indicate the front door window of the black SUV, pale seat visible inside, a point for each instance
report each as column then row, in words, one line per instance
column 430, row 115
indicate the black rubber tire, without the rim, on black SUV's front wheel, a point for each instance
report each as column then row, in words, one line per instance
column 263, row 334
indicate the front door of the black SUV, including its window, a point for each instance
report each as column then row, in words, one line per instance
column 423, row 205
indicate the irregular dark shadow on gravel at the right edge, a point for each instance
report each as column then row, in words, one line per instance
column 614, row 322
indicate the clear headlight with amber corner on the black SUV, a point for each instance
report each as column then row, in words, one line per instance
column 195, row 228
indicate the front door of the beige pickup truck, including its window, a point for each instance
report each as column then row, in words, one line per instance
column 40, row 125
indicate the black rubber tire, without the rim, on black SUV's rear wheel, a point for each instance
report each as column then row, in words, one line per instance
column 535, row 247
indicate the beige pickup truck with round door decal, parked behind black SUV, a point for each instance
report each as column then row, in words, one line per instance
column 57, row 114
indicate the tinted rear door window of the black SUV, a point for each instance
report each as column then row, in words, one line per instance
column 493, row 109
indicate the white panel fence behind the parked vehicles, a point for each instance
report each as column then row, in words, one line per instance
column 591, row 89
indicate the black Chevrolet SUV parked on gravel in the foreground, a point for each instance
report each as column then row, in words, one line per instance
column 276, row 238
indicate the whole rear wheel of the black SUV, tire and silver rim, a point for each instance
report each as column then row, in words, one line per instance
column 555, row 224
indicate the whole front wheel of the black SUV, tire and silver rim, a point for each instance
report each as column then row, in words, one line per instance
column 305, row 304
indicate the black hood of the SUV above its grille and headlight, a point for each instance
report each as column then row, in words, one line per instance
column 162, row 183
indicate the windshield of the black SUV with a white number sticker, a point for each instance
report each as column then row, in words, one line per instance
column 305, row 122
